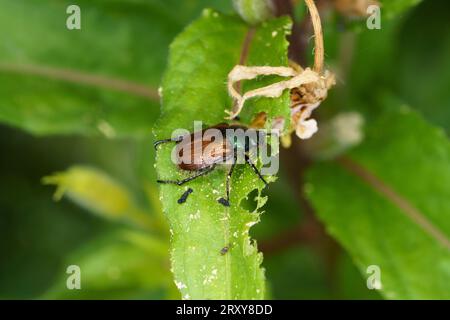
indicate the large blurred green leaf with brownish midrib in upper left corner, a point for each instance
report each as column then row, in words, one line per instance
column 102, row 79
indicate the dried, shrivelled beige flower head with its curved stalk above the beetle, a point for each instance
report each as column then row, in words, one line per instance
column 308, row 87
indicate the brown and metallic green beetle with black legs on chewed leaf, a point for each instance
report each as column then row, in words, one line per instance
column 205, row 154
